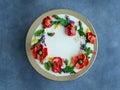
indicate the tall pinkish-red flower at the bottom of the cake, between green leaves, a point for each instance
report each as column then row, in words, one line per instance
column 57, row 64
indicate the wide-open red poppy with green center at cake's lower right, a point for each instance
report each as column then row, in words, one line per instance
column 80, row 61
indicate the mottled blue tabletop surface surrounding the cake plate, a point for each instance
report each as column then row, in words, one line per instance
column 16, row 16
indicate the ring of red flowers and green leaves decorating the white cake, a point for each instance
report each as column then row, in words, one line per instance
column 39, row 49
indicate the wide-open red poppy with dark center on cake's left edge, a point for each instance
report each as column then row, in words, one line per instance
column 39, row 52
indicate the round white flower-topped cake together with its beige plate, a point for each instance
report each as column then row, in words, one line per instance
column 61, row 45
